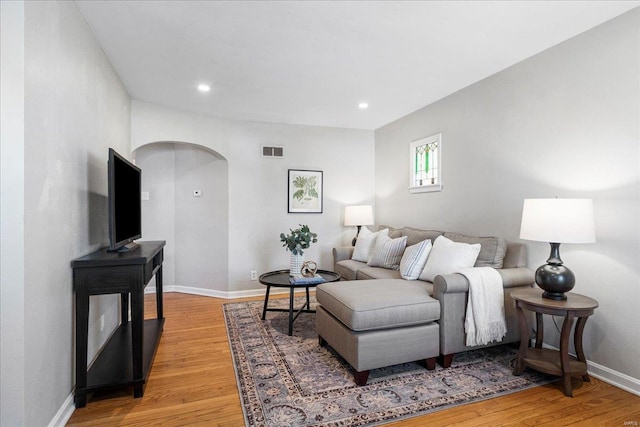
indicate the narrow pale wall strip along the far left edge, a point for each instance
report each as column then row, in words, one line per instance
column 12, row 396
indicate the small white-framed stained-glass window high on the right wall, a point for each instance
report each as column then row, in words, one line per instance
column 425, row 170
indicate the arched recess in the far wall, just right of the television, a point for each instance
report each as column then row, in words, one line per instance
column 186, row 187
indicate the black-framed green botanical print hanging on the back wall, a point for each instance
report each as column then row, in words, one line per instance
column 305, row 191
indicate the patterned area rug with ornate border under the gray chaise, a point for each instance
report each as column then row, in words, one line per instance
column 292, row 381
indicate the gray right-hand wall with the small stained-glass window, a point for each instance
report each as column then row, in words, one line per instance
column 563, row 123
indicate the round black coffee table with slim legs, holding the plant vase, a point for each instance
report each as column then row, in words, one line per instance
column 280, row 279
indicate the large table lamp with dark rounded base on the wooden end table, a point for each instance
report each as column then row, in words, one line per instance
column 557, row 221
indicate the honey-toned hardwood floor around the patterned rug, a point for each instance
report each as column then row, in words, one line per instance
column 192, row 382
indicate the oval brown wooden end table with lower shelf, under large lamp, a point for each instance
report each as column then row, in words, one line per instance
column 551, row 361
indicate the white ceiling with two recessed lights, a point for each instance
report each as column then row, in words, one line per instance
column 313, row 62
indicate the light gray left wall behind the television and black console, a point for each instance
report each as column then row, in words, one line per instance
column 75, row 107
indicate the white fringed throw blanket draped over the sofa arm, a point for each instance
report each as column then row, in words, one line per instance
column 485, row 320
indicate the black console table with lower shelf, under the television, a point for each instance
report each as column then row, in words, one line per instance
column 127, row 357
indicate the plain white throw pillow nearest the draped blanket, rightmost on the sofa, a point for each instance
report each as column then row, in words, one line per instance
column 448, row 257
